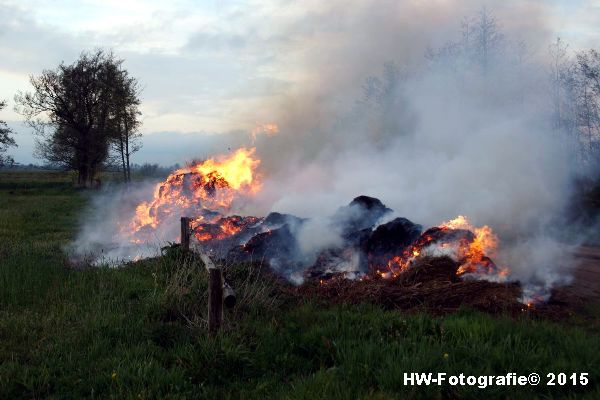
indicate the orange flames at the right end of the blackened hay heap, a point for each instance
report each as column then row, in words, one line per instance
column 469, row 245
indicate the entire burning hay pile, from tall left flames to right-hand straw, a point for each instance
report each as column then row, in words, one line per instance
column 419, row 268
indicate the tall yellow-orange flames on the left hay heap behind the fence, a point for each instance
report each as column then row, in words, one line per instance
column 201, row 190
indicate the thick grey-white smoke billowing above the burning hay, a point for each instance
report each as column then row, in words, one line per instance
column 432, row 138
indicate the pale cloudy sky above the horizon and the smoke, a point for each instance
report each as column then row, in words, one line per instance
column 219, row 68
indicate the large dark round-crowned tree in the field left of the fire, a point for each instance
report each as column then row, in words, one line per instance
column 73, row 109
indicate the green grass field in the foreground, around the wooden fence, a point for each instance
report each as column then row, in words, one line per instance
column 138, row 331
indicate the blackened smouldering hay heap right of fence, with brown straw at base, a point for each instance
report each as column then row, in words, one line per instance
column 420, row 267
